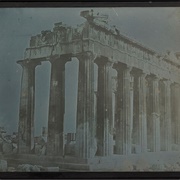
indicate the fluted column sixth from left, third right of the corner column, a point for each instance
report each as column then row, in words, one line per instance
column 139, row 110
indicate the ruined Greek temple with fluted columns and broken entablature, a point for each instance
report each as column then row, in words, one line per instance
column 147, row 88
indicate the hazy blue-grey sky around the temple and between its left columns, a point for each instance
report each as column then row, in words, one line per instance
column 157, row 28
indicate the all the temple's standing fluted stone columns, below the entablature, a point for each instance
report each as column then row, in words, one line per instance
column 141, row 117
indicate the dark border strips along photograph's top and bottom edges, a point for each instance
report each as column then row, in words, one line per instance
column 88, row 175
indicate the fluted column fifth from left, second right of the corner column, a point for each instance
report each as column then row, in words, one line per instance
column 124, row 109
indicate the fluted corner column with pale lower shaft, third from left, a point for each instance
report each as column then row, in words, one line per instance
column 85, row 125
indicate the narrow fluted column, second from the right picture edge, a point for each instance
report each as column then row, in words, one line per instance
column 167, row 115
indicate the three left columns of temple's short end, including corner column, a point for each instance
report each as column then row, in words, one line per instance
column 85, row 105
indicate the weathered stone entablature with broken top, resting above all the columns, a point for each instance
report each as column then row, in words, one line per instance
column 101, row 40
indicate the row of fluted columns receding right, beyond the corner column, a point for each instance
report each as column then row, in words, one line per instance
column 139, row 116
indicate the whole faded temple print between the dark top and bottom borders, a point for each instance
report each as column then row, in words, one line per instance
column 88, row 97
